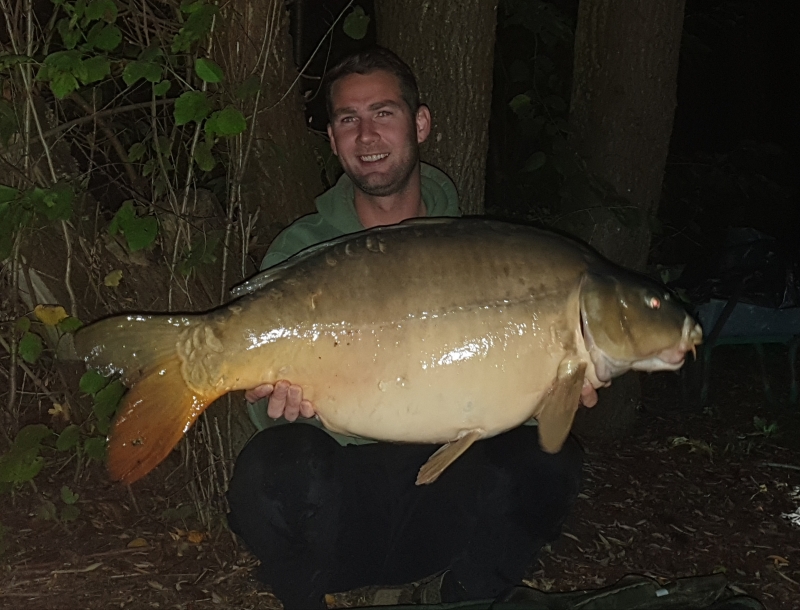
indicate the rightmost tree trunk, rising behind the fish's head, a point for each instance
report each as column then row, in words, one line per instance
column 621, row 115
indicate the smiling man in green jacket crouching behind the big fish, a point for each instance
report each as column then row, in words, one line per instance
column 326, row 516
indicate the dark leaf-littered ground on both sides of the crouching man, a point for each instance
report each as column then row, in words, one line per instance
column 690, row 492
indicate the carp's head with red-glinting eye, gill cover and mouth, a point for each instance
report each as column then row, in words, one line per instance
column 630, row 322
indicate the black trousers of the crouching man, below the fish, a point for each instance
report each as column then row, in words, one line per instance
column 323, row 518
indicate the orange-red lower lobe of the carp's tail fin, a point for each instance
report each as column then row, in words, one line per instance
column 155, row 414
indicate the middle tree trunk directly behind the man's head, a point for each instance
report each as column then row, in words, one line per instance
column 450, row 47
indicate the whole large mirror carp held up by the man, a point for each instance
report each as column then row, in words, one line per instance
column 430, row 331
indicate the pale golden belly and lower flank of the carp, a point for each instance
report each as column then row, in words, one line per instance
column 426, row 379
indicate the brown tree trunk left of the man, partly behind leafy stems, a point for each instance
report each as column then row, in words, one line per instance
column 280, row 177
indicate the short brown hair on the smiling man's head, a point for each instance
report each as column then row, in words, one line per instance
column 371, row 60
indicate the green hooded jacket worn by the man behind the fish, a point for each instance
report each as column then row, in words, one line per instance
column 336, row 216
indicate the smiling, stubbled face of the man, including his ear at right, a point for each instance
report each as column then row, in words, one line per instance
column 374, row 133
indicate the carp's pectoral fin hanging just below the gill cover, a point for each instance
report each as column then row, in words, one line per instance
column 560, row 405
